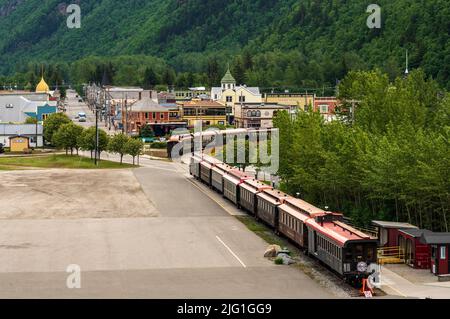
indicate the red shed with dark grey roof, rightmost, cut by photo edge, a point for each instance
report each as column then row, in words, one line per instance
column 439, row 244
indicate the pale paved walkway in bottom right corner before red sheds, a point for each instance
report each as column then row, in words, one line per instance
column 394, row 284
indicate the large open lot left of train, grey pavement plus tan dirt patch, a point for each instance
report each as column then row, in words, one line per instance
column 144, row 233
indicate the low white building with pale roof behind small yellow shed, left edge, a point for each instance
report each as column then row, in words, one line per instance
column 34, row 132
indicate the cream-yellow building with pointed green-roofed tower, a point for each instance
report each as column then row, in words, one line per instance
column 229, row 93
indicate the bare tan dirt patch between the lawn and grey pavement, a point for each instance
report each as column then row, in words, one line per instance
column 62, row 193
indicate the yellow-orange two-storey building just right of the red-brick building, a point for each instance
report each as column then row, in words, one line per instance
column 209, row 112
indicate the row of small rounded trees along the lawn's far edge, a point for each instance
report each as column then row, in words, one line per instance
column 65, row 134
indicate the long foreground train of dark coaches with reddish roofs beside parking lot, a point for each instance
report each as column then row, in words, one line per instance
column 320, row 234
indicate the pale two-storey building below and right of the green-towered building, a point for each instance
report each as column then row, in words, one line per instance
column 257, row 115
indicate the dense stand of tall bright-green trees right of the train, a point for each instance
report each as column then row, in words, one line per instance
column 388, row 159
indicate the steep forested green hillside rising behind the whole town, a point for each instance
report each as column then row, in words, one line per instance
column 307, row 43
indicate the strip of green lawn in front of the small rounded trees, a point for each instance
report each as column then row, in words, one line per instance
column 56, row 161
